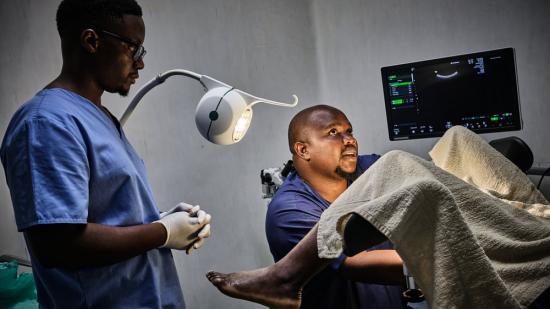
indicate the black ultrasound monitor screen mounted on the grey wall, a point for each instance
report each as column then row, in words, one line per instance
column 478, row 91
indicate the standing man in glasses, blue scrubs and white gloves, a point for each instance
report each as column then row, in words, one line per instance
column 79, row 189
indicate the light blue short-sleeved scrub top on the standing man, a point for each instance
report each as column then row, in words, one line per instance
column 66, row 161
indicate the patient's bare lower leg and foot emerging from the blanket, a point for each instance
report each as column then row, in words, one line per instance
column 278, row 285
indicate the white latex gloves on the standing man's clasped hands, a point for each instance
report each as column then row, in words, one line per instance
column 182, row 227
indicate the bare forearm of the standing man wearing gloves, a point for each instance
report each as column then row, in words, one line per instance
column 88, row 245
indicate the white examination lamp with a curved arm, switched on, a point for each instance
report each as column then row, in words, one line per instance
column 223, row 114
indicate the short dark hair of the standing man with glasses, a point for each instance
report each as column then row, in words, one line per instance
column 73, row 16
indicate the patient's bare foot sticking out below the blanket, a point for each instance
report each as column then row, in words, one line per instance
column 259, row 286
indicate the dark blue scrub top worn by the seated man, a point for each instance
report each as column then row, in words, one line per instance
column 292, row 213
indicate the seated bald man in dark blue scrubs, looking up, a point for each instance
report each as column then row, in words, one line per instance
column 326, row 161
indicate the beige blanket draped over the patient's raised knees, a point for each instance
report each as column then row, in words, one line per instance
column 480, row 239
